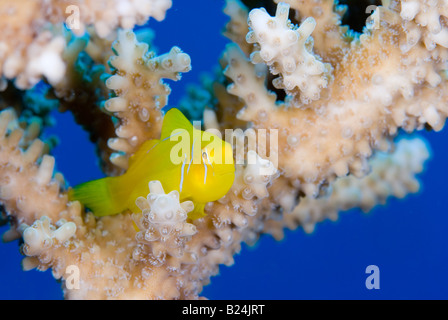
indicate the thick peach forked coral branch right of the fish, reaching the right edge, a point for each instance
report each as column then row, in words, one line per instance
column 366, row 107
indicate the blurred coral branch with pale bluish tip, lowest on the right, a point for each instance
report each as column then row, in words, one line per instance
column 392, row 176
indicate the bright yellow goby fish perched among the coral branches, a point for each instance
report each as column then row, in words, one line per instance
column 196, row 163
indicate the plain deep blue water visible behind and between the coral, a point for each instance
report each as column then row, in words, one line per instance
column 406, row 239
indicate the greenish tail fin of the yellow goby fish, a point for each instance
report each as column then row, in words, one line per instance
column 101, row 196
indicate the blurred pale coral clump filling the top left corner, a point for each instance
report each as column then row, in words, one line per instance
column 32, row 48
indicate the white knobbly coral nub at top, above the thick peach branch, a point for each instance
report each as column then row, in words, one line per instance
column 287, row 50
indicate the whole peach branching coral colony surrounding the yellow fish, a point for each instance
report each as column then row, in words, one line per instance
column 334, row 100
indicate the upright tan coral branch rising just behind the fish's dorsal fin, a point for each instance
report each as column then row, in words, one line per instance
column 140, row 93
